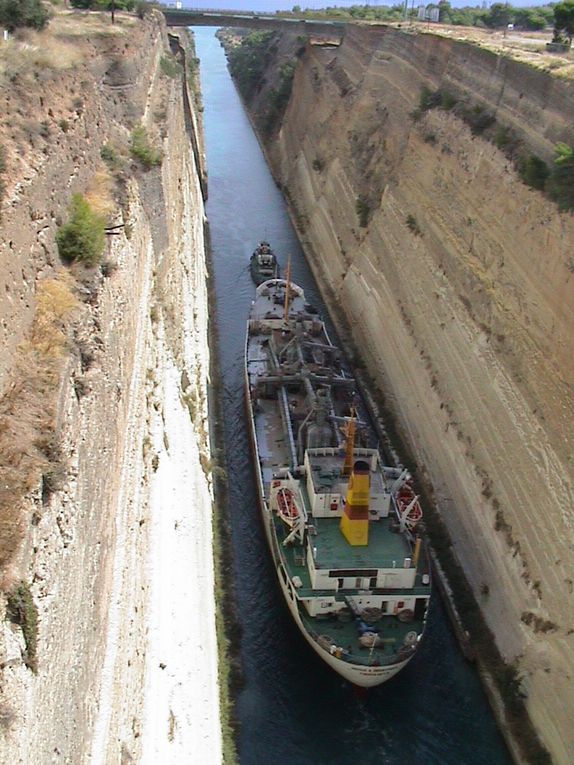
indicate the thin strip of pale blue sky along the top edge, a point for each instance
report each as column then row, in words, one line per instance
column 287, row 5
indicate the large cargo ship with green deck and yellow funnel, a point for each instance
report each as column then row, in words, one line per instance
column 342, row 528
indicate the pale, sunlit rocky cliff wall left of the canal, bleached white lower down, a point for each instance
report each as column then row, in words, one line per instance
column 111, row 528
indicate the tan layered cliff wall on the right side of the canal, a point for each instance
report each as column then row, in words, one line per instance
column 458, row 290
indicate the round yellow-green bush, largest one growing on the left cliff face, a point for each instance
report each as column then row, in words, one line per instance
column 83, row 237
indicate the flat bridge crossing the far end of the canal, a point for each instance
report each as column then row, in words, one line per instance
column 201, row 17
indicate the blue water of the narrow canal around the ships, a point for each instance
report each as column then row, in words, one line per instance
column 292, row 709
